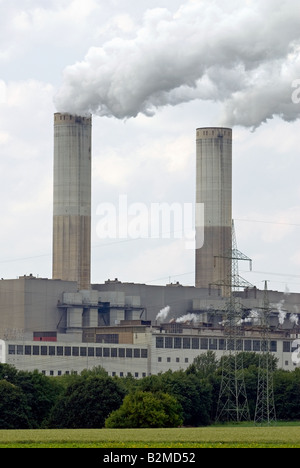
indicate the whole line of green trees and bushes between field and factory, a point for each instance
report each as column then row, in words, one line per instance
column 31, row 400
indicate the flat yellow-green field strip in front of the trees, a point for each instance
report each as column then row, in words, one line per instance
column 211, row 437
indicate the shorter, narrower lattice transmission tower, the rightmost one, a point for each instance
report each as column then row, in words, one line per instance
column 265, row 412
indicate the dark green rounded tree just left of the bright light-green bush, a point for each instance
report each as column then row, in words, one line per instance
column 87, row 402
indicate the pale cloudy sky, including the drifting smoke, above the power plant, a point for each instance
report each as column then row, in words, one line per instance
column 151, row 73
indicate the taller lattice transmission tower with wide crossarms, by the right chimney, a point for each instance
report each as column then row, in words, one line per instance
column 232, row 402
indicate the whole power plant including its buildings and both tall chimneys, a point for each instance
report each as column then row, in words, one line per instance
column 66, row 324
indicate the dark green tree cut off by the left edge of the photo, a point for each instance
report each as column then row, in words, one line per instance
column 13, row 408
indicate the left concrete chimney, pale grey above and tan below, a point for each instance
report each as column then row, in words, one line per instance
column 72, row 199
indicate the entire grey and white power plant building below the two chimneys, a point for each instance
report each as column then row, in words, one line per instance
column 60, row 332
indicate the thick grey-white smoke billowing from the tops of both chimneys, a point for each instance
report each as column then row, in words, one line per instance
column 244, row 55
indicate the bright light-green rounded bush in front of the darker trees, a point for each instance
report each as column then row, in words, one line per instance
column 146, row 410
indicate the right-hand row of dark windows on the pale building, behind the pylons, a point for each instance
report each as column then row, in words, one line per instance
column 169, row 342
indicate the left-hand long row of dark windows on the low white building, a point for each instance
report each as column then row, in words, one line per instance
column 82, row 351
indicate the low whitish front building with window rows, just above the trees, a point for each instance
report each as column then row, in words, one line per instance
column 135, row 348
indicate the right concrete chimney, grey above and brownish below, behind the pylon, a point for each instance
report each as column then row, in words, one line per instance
column 214, row 189
